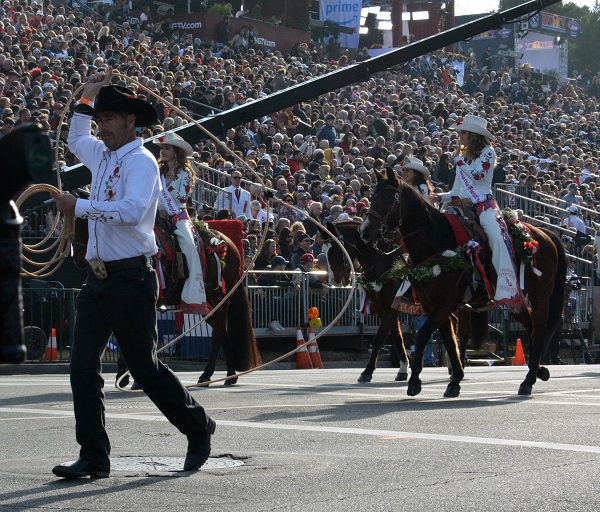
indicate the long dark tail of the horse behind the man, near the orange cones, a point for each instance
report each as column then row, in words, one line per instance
column 241, row 333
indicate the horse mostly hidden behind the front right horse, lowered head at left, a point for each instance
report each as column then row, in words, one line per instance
column 381, row 292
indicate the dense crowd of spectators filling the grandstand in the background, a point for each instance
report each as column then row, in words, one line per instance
column 320, row 155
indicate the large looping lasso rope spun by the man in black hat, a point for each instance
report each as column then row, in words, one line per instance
column 64, row 241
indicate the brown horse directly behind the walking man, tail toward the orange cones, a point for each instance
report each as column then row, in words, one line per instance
column 231, row 323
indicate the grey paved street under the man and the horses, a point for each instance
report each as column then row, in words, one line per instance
column 318, row 441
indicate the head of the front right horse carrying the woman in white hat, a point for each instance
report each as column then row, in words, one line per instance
column 383, row 216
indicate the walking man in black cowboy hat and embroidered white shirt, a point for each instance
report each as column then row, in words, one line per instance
column 119, row 295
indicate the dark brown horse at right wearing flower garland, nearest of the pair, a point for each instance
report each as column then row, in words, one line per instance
column 426, row 233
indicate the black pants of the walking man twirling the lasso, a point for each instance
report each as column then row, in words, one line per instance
column 124, row 303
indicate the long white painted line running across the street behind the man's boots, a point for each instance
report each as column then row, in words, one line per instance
column 342, row 430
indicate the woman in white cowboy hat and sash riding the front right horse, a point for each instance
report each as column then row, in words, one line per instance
column 475, row 161
